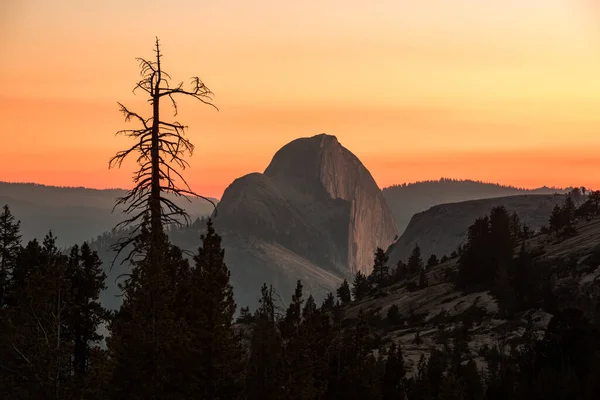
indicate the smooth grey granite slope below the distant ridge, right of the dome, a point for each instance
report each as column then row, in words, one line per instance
column 441, row 229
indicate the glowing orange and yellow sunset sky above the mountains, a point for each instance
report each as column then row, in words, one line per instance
column 503, row 91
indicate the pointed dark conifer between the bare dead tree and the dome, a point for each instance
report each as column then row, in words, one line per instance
column 216, row 353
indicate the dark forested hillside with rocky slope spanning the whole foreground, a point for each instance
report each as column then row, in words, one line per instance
column 512, row 310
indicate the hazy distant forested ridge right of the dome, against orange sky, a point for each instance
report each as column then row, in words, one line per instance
column 408, row 199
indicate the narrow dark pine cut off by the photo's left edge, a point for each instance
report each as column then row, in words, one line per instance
column 10, row 244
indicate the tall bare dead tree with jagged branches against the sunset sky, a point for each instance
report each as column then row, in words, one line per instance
column 160, row 147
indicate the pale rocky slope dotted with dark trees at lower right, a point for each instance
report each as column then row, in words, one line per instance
column 434, row 311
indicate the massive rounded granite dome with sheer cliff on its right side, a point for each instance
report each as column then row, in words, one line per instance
column 316, row 213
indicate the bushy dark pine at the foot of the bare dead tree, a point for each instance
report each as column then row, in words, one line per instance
column 149, row 339
